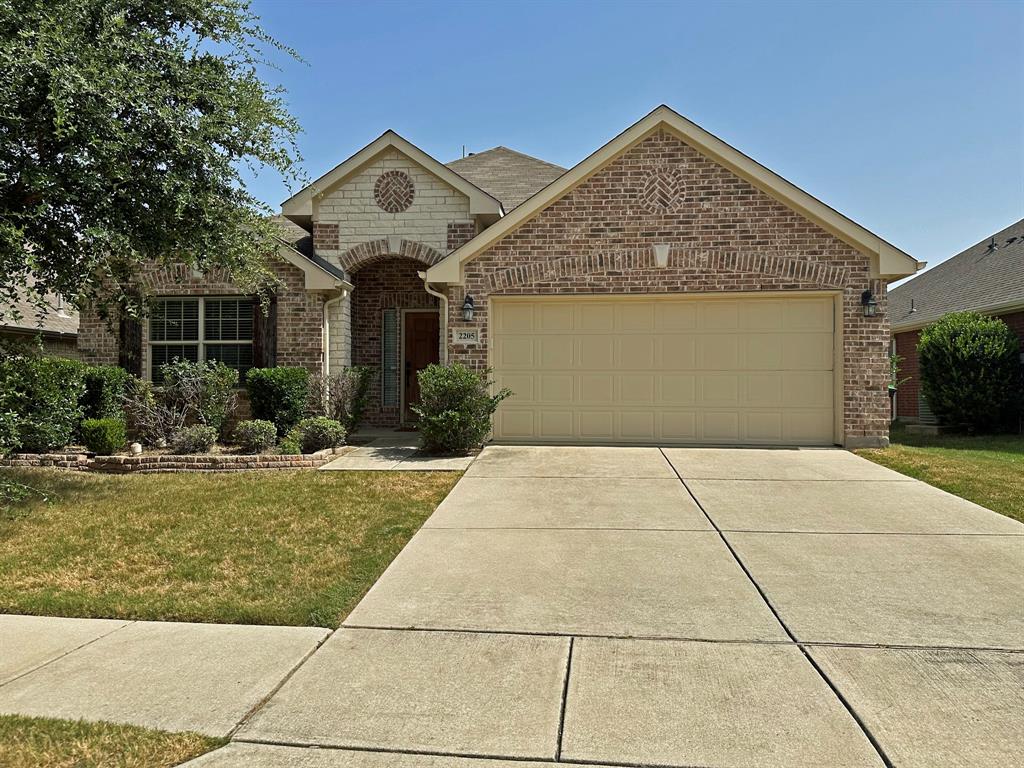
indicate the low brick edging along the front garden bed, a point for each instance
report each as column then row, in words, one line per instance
column 173, row 463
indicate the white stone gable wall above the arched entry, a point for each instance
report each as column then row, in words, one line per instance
column 349, row 215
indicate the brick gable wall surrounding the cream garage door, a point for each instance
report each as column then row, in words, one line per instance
column 726, row 236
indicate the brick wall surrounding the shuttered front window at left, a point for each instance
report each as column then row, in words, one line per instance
column 300, row 325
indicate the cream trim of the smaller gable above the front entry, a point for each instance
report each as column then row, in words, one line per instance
column 300, row 208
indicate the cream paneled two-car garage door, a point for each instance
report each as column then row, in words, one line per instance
column 659, row 424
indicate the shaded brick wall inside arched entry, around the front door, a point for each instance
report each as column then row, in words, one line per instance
column 383, row 285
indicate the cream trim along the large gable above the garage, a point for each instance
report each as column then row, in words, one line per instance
column 888, row 263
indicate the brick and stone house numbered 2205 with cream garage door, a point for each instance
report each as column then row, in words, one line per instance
column 666, row 290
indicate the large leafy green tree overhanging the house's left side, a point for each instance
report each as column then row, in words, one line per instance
column 124, row 127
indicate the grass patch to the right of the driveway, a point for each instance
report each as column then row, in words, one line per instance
column 988, row 471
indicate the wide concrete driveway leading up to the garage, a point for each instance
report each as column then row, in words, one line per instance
column 676, row 608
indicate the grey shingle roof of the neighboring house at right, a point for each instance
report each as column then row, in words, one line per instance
column 979, row 278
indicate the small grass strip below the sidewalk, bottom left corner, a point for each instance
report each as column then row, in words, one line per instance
column 33, row 743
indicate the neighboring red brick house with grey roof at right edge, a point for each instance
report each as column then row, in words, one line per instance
column 988, row 278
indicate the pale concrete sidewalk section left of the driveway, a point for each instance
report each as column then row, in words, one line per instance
column 177, row 677
